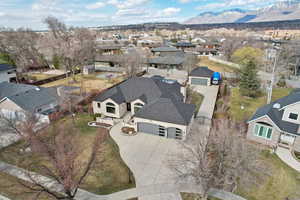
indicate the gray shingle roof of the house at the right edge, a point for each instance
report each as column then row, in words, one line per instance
column 276, row 115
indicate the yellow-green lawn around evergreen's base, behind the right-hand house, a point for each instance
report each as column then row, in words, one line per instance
column 251, row 104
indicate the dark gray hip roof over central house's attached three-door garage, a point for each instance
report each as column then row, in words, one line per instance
column 168, row 110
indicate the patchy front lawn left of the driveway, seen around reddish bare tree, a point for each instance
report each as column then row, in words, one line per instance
column 109, row 173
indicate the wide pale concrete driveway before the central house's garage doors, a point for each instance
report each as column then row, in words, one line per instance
column 147, row 157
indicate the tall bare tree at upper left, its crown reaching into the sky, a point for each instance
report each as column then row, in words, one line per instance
column 74, row 46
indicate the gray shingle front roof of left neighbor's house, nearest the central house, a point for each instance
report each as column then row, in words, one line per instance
column 33, row 99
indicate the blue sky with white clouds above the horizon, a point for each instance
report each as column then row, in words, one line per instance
column 30, row 13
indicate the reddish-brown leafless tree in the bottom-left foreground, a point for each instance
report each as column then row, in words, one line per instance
column 66, row 168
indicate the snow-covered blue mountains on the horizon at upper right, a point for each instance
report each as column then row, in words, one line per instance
column 285, row 10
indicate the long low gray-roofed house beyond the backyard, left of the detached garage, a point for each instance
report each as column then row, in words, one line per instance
column 166, row 62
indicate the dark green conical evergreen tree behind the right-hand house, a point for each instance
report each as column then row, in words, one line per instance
column 249, row 82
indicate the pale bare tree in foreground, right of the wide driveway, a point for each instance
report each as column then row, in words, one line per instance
column 218, row 159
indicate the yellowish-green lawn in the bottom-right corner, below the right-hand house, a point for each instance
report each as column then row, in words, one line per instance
column 284, row 182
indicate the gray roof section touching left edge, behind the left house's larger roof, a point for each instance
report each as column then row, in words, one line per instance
column 10, row 89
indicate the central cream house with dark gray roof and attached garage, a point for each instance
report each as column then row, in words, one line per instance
column 156, row 105
